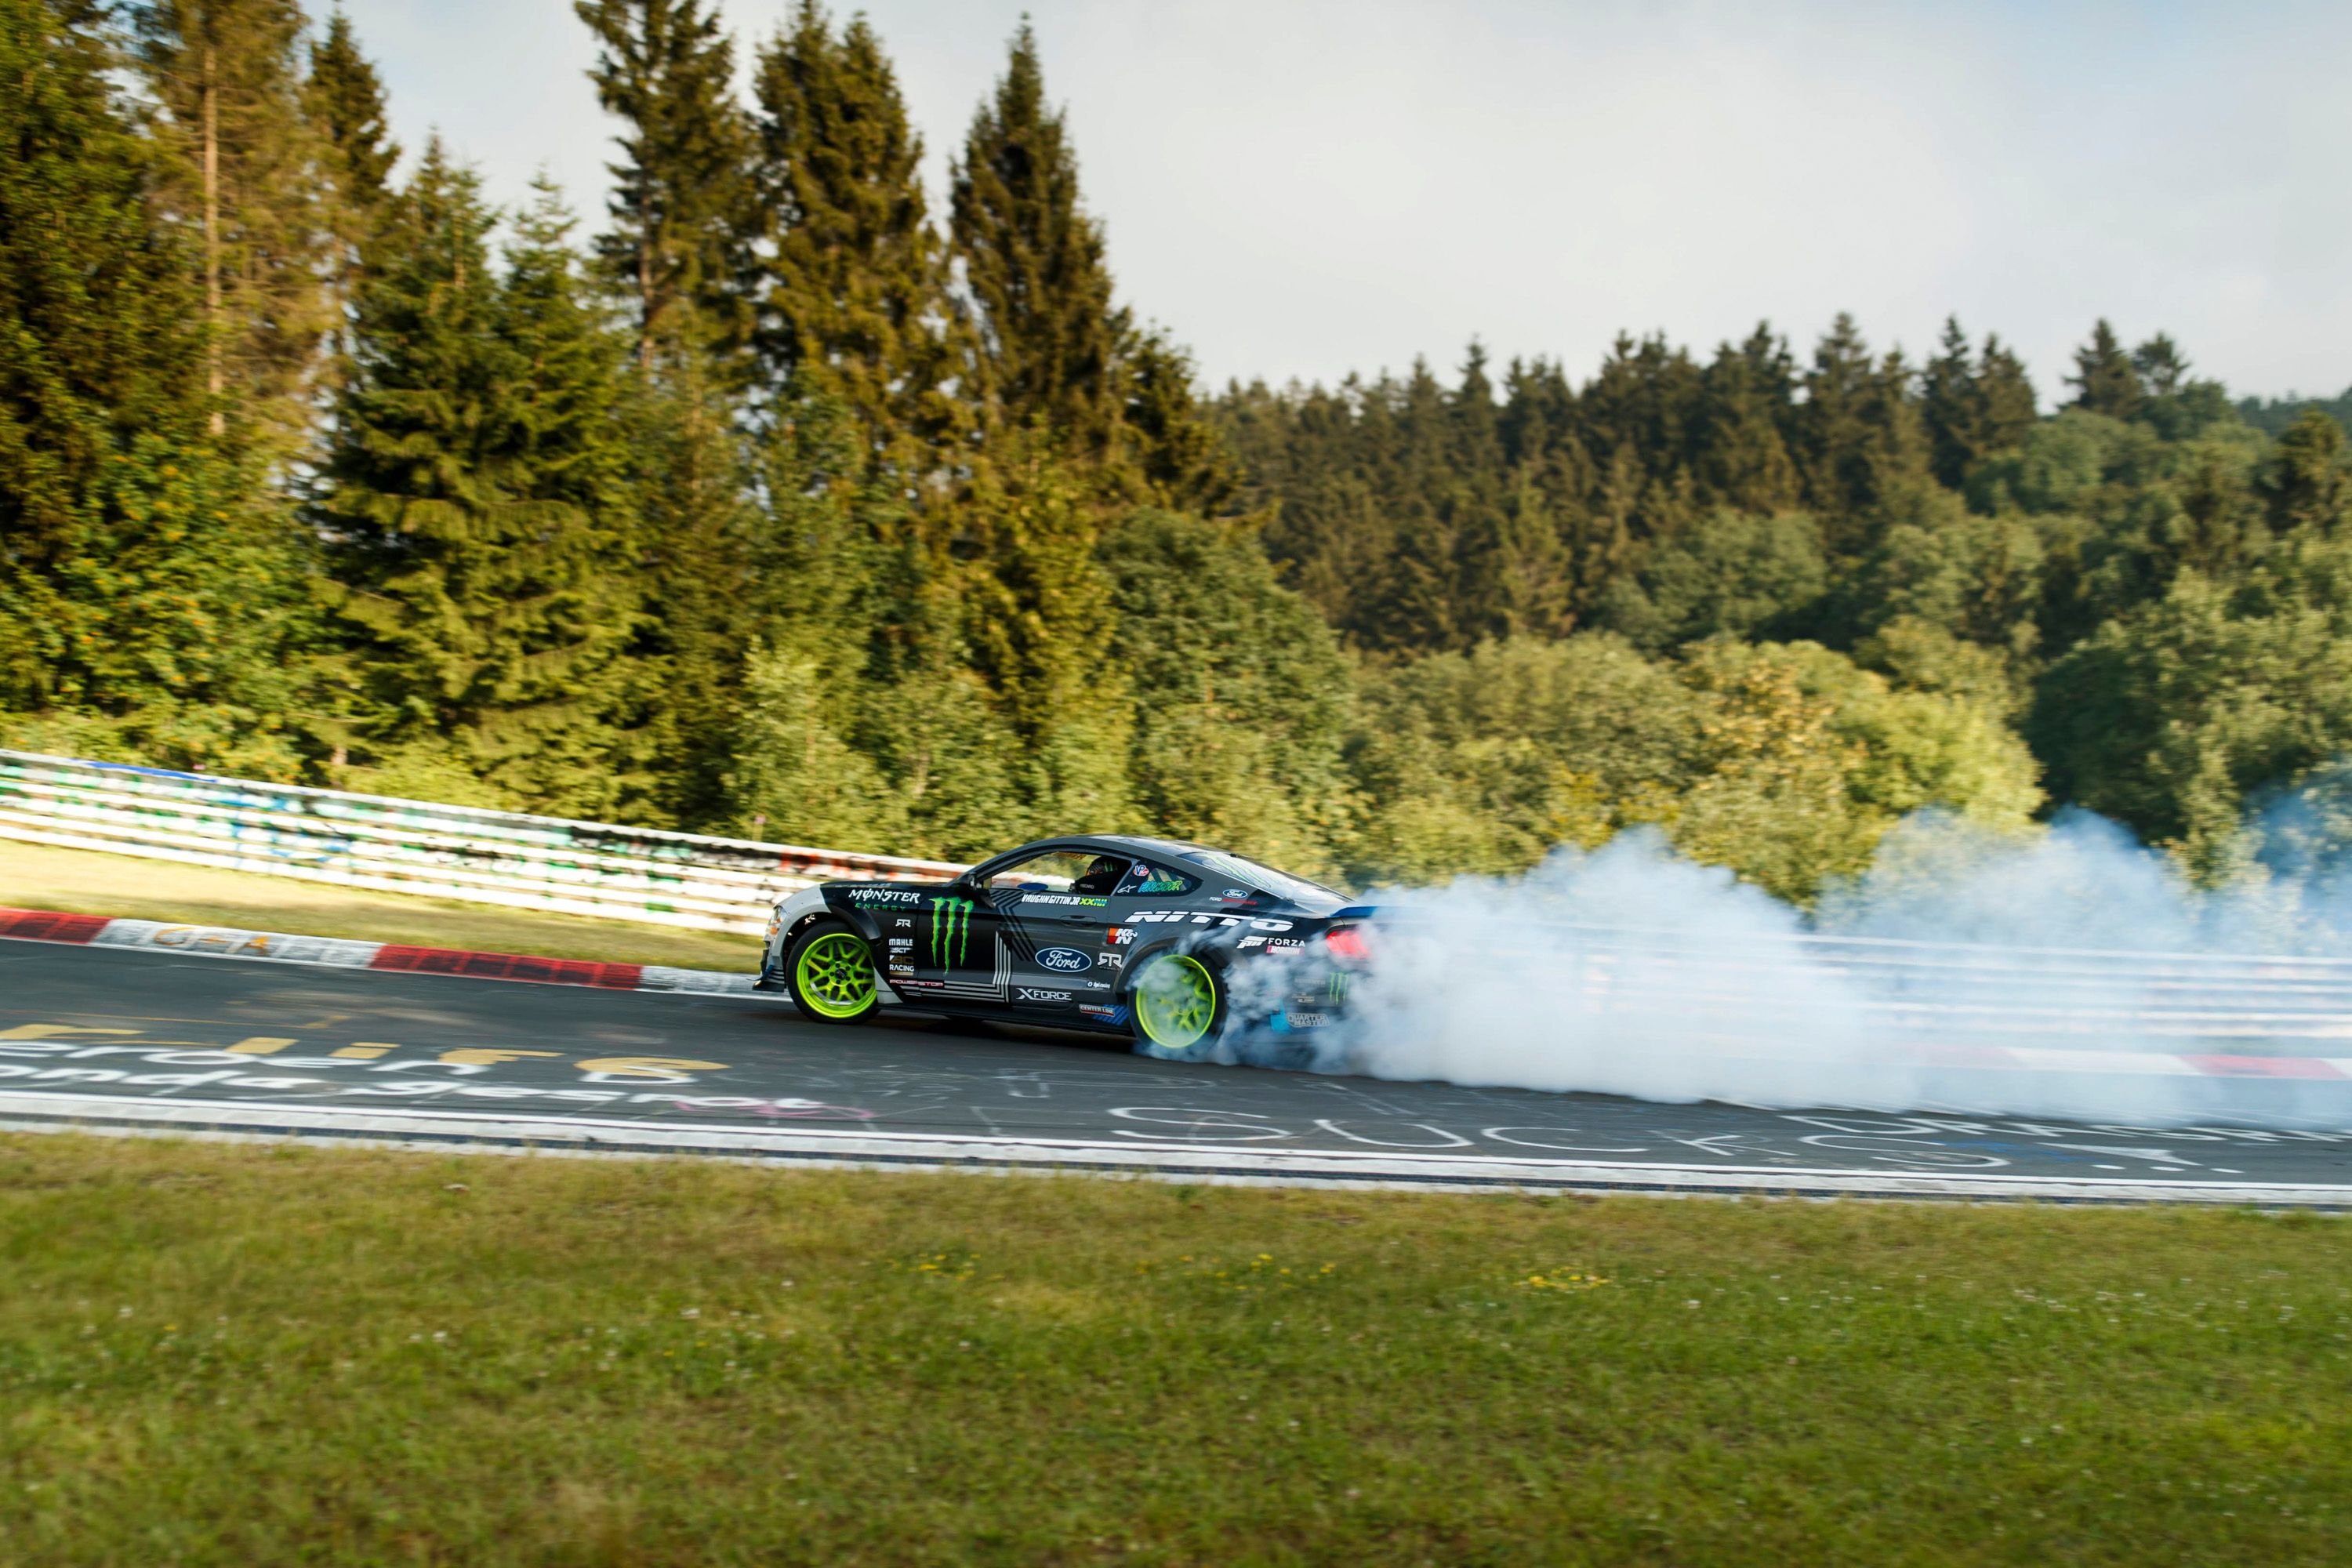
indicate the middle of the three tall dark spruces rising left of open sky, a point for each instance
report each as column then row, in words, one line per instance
column 850, row 281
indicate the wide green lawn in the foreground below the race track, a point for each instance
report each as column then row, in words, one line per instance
column 234, row 1355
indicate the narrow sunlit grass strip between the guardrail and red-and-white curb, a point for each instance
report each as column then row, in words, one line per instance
column 91, row 883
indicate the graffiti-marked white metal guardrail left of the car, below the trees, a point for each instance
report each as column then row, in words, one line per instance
column 415, row 847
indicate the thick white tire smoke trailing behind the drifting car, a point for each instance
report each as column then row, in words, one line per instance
column 2069, row 977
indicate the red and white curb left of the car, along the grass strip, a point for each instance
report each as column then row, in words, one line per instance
column 342, row 953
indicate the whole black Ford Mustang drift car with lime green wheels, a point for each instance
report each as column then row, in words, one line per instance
column 1172, row 944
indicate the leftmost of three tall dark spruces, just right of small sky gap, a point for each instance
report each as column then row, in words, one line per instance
column 681, row 187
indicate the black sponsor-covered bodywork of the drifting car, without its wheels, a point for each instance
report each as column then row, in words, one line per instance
column 1050, row 932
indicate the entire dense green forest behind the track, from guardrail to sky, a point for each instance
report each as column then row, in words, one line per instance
column 775, row 502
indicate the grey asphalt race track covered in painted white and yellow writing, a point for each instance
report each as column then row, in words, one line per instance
column 156, row 1043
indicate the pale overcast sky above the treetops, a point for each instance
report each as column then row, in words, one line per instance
column 1304, row 189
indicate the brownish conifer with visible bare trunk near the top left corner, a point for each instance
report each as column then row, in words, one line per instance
column 241, row 173
